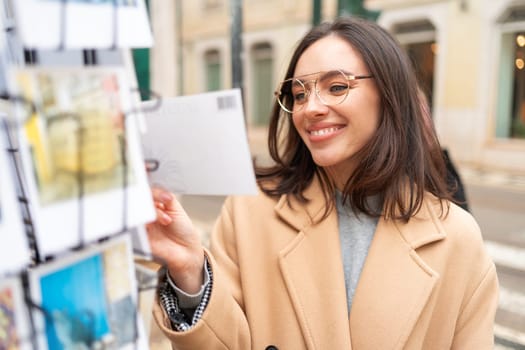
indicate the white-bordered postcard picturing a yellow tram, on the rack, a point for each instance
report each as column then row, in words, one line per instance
column 81, row 155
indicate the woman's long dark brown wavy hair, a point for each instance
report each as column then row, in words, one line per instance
column 399, row 163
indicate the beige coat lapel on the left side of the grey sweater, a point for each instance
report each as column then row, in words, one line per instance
column 313, row 273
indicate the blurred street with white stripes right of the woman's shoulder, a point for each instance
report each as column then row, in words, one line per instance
column 500, row 212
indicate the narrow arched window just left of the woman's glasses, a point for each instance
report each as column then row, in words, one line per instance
column 262, row 84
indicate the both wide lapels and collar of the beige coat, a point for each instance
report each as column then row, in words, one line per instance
column 394, row 286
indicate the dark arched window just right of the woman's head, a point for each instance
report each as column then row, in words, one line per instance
column 418, row 39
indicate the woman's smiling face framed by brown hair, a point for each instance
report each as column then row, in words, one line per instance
column 334, row 133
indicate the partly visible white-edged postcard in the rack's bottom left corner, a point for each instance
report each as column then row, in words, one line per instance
column 14, row 320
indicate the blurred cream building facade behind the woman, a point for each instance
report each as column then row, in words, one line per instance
column 468, row 54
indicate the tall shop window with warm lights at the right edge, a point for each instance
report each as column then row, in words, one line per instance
column 510, row 120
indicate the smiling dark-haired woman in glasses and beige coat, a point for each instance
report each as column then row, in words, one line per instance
column 353, row 240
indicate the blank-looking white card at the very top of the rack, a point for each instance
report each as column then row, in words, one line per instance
column 81, row 24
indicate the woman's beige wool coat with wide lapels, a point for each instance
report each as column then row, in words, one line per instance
column 278, row 280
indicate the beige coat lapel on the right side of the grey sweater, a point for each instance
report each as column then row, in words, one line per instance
column 395, row 283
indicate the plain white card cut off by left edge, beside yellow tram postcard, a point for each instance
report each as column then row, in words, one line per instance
column 14, row 247
